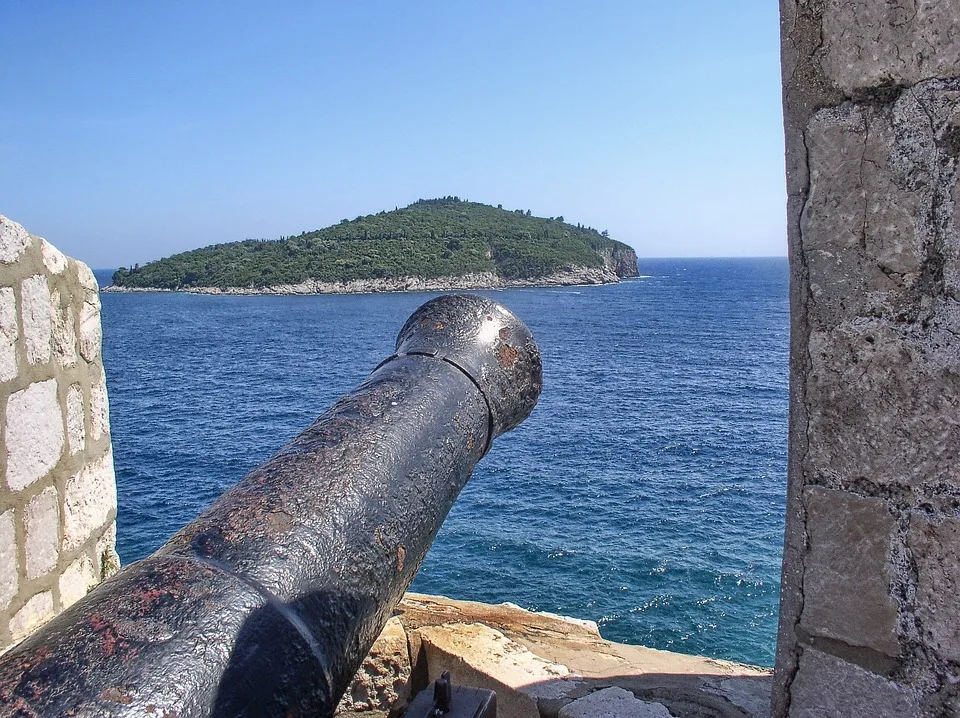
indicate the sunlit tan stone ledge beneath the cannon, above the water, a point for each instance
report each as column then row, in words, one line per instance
column 543, row 665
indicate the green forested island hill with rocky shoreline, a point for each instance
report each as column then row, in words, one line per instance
column 429, row 239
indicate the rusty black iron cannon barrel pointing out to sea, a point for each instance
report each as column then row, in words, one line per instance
column 267, row 603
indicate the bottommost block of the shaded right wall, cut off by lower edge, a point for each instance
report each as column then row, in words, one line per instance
column 826, row 686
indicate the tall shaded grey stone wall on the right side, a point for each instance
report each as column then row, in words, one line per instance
column 870, row 614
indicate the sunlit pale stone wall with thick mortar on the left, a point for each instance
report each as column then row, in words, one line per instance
column 57, row 494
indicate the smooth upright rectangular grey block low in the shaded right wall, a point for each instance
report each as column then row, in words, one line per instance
column 848, row 573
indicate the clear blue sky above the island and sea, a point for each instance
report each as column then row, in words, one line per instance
column 132, row 130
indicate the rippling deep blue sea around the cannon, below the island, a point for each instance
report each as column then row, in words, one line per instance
column 646, row 491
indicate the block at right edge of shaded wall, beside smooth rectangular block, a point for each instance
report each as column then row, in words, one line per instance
column 935, row 548
